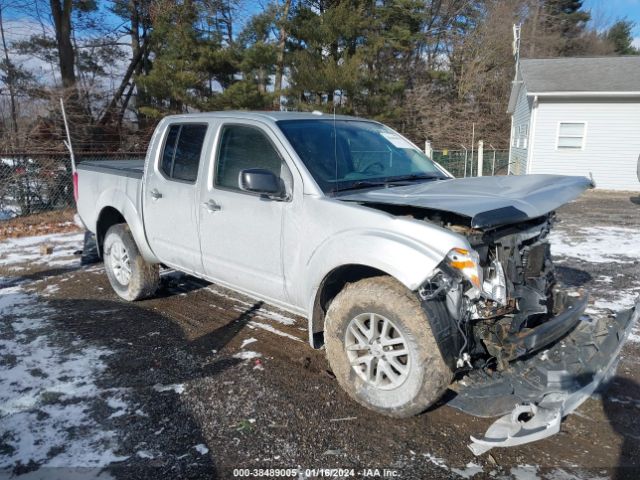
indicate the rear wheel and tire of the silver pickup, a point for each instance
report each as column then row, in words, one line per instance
column 131, row 277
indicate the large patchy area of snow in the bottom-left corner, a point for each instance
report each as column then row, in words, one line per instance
column 48, row 391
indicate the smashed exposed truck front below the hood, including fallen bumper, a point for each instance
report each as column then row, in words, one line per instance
column 521, row 342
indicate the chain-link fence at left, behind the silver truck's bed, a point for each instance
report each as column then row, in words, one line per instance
column 36, row 182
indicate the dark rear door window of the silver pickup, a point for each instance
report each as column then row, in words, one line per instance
column 182, row 151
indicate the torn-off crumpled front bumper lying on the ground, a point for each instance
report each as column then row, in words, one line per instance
column 534, row 394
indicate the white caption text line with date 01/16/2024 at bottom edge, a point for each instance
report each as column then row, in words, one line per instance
column 317, row 472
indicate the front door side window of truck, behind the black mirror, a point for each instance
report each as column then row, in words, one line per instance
column 243, row 147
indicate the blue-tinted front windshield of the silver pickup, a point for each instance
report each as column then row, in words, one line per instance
column 349, row 154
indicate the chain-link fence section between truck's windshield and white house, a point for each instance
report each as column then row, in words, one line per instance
column 464, row 163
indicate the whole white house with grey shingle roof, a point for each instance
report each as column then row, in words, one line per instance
column 577, row 116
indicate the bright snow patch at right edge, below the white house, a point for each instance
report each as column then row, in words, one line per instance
column 598, row 244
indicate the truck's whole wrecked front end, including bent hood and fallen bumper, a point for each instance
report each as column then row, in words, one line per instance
column 520, row 342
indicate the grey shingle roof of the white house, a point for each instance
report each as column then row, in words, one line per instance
column 578, row 76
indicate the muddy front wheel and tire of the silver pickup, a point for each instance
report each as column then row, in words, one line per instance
column 382, row 350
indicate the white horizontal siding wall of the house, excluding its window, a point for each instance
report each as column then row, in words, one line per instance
column 611, row 147
